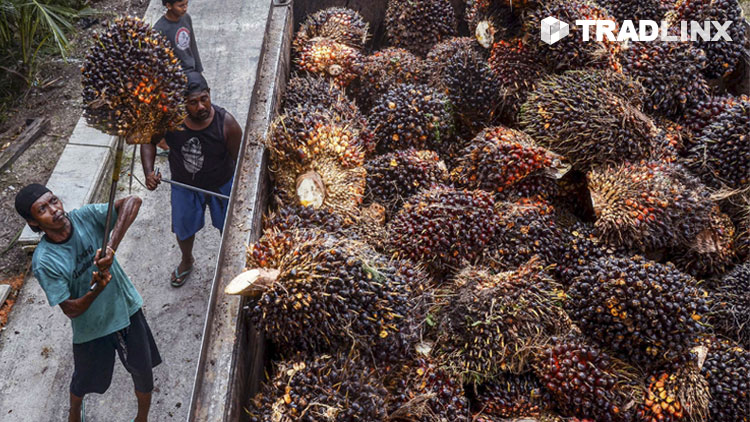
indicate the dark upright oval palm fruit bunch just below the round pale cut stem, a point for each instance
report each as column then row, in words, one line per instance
column 461, row 72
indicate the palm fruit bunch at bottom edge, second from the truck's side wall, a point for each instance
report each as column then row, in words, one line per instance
column 420, row 391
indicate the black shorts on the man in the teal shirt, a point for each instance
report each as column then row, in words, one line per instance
column 95, row 360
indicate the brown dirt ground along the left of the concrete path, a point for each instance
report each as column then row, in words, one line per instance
column 57, row 97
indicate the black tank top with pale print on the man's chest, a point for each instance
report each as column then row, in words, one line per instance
column 201, row 158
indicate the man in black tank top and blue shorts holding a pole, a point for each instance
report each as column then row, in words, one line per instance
column 202, row 154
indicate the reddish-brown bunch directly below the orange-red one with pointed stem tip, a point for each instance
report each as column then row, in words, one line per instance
column 524, row 229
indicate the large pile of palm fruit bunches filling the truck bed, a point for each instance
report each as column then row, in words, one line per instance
column 479, row 226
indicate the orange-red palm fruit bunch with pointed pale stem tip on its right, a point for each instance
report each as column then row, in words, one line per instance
column 499, row 158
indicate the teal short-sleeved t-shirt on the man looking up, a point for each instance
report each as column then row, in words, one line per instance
column 64, row 271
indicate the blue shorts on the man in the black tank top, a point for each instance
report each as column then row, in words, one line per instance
column 189, row 209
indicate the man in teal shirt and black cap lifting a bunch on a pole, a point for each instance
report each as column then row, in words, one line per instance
column 106, row 317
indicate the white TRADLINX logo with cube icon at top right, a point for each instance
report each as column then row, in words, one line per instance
column 553, row 30
